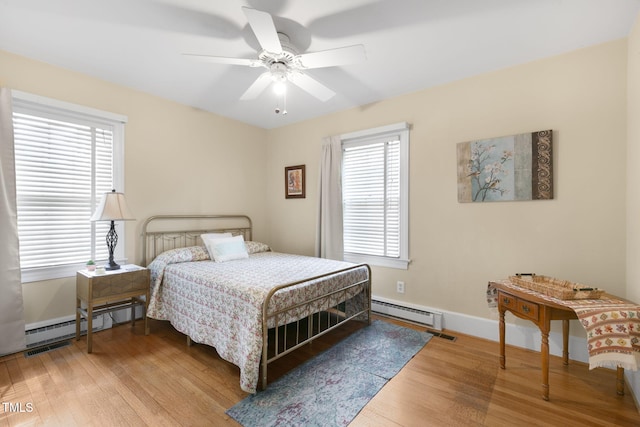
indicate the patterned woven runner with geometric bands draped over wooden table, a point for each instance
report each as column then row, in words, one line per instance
column 612, row 326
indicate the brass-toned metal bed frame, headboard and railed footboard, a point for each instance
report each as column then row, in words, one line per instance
column 303, row 330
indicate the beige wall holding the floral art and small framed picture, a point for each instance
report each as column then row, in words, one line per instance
column 457, row 248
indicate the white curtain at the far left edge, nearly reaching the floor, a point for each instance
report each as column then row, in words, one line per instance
column 12, row 337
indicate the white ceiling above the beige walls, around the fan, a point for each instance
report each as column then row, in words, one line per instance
column 410, row 44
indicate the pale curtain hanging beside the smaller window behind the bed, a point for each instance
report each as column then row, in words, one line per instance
column 329, row 240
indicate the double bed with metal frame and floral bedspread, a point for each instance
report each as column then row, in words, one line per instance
column 252, row 310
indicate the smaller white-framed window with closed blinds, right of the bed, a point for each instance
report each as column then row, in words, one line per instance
column 375, row 184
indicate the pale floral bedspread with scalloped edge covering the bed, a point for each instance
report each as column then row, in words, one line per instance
column 220, row 304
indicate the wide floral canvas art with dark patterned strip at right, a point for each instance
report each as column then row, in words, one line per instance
column 516, row 167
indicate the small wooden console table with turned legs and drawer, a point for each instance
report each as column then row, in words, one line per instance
column 540, row 311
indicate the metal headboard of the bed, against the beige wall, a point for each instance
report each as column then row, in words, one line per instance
column 184, row 230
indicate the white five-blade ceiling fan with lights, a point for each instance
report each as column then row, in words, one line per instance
column 283, row 62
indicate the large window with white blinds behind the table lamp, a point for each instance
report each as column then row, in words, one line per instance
column 66, row 156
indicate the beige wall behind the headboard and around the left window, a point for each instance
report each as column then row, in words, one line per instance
column 177, row 160
